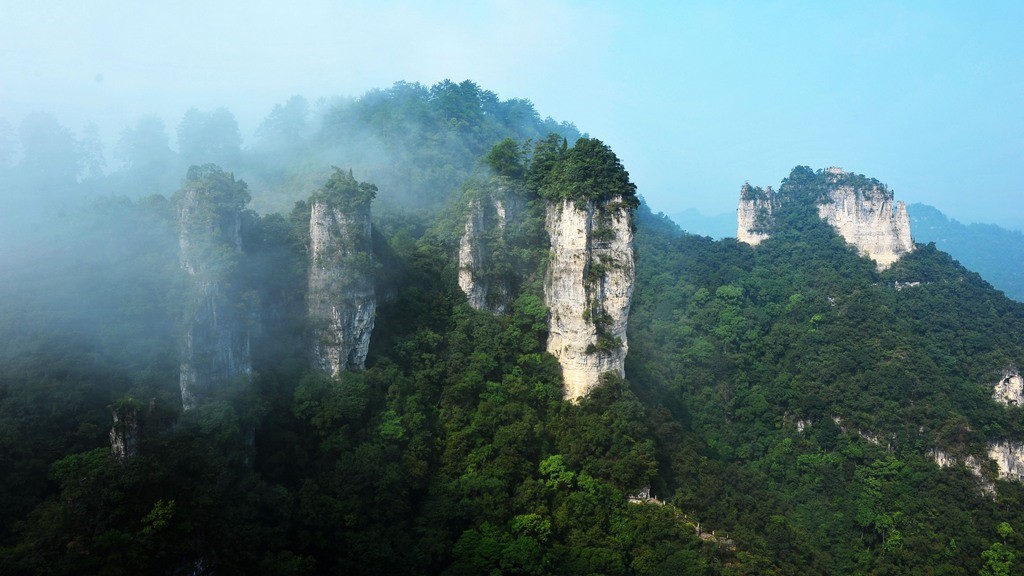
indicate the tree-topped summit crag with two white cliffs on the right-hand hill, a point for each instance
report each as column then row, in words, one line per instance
column 861, row 210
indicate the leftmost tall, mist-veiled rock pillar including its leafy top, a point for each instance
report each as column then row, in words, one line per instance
column 216, row 348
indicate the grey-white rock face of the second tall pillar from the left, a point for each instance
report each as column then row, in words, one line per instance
column 340, row 301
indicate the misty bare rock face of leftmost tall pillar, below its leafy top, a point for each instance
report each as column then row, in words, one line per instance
column 217, row 348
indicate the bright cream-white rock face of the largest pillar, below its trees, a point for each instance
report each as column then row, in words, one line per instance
column 588, row 290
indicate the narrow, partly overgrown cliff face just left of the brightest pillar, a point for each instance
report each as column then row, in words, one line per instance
column 487, row 218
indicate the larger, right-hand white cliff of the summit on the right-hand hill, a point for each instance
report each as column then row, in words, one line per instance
column 866, row 219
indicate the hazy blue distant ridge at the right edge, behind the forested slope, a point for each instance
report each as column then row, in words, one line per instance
column 993, row 252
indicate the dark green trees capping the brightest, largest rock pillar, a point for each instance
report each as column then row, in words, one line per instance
column 589, row 173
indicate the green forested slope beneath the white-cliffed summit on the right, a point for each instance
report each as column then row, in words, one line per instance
column 815, row 394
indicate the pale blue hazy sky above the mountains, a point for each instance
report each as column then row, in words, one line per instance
column 696, row 98
